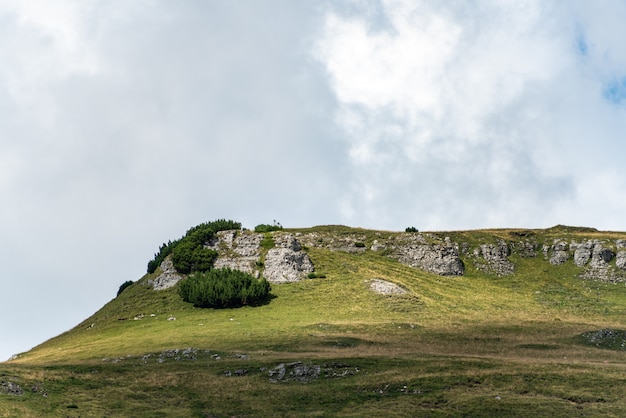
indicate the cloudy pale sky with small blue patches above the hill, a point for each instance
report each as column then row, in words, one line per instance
column 123, row 124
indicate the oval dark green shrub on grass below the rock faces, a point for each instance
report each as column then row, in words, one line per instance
column 223, row 288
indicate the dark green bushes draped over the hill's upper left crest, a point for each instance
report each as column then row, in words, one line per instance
column 188, row 253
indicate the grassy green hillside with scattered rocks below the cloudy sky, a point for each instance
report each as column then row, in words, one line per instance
column 541, row 341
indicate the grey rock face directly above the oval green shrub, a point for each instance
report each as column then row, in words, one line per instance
column 237, row 250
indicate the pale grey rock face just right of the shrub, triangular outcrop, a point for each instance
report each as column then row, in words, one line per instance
column 286, row 263
